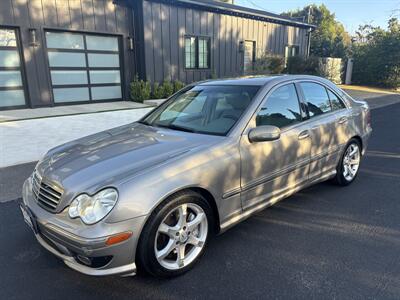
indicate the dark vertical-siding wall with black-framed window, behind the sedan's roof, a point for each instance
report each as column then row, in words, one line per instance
column 165, row 26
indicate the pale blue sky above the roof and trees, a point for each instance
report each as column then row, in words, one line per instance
column 351, row 13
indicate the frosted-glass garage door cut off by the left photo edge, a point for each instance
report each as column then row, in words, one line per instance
column 11, row 81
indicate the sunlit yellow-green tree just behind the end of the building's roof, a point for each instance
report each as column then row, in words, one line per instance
column 330, row 38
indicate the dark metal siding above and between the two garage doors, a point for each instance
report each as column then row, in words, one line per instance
column 102, row 16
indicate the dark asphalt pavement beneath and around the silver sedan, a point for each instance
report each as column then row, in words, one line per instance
column 324, row 242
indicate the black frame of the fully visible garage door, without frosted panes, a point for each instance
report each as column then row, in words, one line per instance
column 87, row 68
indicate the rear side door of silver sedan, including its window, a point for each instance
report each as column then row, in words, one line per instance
column 323, row 129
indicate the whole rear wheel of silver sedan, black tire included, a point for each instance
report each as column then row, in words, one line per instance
column 347, row 172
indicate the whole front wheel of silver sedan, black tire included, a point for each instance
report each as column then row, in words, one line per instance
column 175, row 233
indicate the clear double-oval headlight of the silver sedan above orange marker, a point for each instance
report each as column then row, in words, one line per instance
column 92, row 209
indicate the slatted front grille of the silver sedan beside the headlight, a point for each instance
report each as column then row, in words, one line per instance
column 46, row 195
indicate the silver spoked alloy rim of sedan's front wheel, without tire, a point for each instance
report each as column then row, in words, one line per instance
column 181, row 236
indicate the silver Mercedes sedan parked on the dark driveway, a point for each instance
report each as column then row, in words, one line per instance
column 149, row 194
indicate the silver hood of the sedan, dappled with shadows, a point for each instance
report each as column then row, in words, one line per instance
column 105, row 158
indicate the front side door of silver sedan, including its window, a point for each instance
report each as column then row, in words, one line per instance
column 269, row 169
